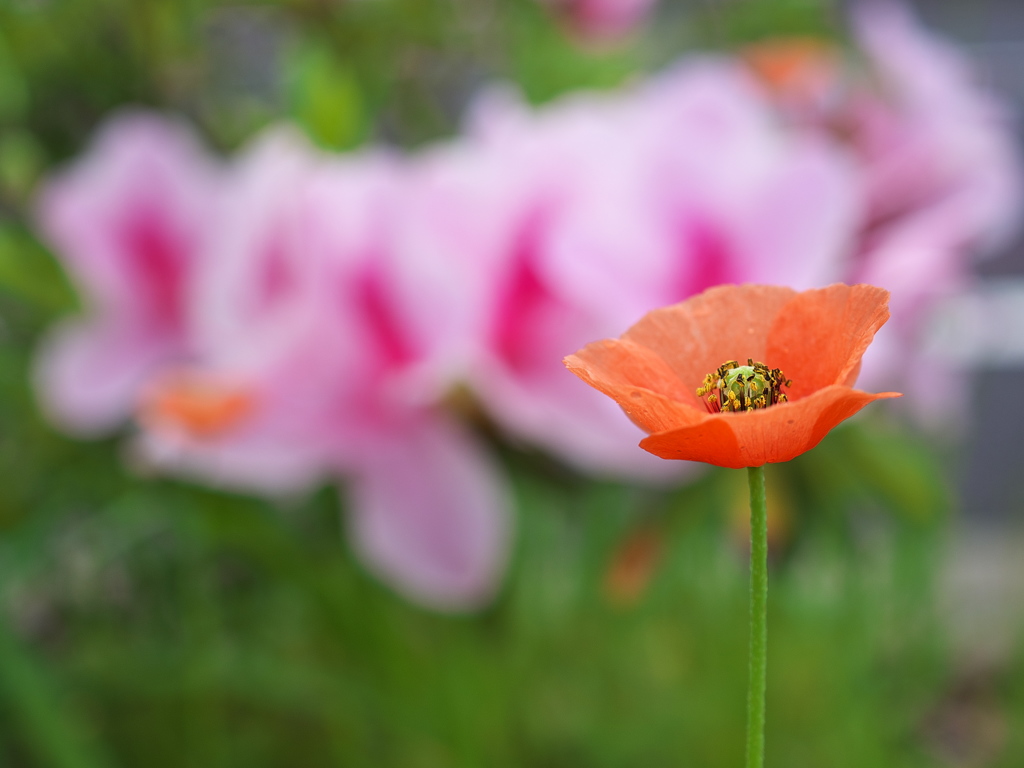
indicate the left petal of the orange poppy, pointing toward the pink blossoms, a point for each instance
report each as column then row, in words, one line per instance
column 638, row 380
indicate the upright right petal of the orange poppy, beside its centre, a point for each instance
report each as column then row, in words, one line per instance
column 820, row 336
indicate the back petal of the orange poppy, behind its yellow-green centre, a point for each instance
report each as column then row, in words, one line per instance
column 722, row 324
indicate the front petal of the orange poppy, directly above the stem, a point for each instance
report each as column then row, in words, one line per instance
column 770, row 436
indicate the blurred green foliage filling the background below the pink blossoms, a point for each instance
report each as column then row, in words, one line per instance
column 155, row 624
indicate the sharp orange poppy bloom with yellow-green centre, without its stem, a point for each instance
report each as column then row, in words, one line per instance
column 667, row 372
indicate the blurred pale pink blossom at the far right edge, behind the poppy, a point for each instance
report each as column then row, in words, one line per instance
column 945, row 187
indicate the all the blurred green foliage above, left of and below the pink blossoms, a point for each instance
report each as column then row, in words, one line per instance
column 149, row 623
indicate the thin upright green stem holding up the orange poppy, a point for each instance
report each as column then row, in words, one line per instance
column 759, row 620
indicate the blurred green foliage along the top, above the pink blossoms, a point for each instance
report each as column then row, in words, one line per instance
column 393, row 70
